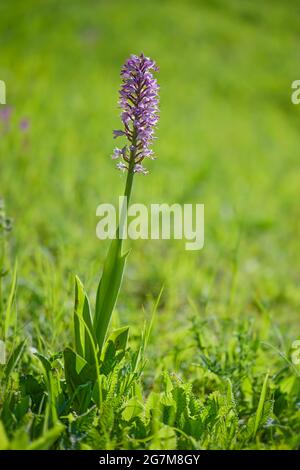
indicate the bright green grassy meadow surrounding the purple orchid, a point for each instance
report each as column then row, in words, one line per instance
column 208, row 359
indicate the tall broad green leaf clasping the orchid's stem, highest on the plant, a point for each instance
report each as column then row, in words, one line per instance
column 108, row 290
